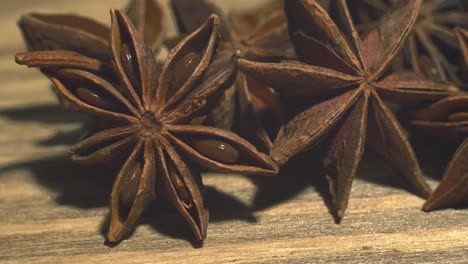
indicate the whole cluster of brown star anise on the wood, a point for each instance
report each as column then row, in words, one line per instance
column 311, row 72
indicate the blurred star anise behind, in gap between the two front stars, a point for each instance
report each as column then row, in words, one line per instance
column 258, row 35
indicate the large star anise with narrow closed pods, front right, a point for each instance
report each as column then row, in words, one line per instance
column 345, row 75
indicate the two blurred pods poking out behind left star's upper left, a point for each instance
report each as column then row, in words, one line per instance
column 87, row 36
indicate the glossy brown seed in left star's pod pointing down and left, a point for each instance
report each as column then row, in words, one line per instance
column 129, row 186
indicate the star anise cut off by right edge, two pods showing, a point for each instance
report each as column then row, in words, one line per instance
column 445, row 120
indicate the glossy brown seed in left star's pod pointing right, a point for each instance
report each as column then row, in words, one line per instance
column 217, row 150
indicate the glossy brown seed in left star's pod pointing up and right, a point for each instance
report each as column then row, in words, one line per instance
column 183, row 68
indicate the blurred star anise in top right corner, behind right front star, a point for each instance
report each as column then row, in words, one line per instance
column 432, row 48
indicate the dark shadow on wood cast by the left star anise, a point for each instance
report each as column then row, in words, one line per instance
column 89, row 187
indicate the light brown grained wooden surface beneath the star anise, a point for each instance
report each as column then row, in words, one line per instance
column 55, row 212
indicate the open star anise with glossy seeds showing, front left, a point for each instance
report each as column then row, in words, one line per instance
column 148, row 117
